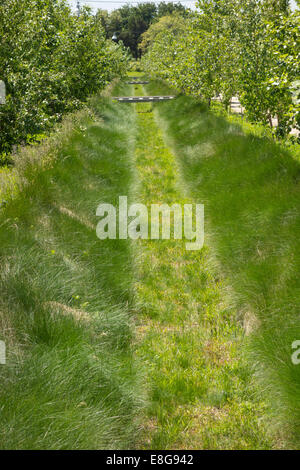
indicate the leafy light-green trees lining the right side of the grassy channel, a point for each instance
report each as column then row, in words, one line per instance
column 248, row 48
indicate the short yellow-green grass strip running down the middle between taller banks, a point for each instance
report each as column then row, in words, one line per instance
column 190, row 341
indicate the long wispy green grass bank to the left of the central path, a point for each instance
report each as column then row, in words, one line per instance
column 71, row 380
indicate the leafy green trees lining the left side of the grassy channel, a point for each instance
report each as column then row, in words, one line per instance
column 50, row 61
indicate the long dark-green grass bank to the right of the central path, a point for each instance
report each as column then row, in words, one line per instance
column 251, row 191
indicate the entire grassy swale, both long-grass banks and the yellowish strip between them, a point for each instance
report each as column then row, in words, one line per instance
column 116, row 344
